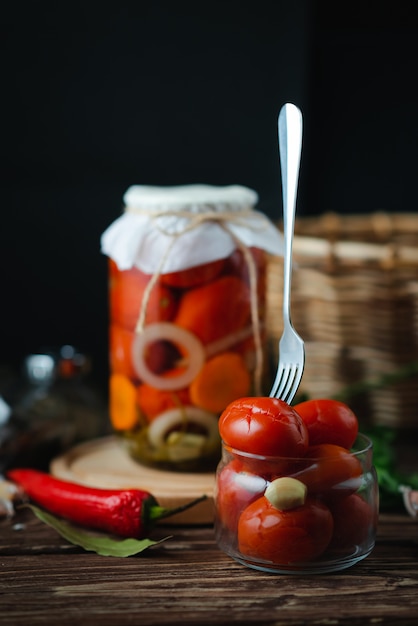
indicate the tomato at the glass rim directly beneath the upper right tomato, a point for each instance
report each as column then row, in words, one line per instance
column 330, row 471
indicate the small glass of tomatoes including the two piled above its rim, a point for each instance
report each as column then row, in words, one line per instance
column 285, row 504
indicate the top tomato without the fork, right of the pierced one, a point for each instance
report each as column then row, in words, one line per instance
column 329, row 421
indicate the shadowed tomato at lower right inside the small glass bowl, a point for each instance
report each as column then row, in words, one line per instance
column 355, row 522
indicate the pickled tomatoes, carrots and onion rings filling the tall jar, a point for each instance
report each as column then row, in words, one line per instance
column 179, row 354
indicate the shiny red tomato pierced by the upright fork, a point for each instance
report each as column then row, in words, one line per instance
column 264, row 426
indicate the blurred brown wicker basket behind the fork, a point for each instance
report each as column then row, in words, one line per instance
column 355, row 303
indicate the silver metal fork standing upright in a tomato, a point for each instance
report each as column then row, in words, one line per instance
column 291, row 346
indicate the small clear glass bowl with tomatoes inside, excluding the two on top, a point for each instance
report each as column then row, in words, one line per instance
column 314, row 513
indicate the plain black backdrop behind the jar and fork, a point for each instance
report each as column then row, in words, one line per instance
column 102, row 95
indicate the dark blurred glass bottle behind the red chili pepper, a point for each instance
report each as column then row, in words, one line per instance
column 53, row 408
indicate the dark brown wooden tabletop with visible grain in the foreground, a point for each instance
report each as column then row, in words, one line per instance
column 187, row 580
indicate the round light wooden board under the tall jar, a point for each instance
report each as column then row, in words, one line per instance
column 105, row 463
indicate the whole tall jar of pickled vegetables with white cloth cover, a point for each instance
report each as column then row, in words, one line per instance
column 187, row 301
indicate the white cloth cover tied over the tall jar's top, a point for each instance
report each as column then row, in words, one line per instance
column 200, row 218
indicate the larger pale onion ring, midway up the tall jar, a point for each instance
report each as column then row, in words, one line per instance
column 179, row 336
